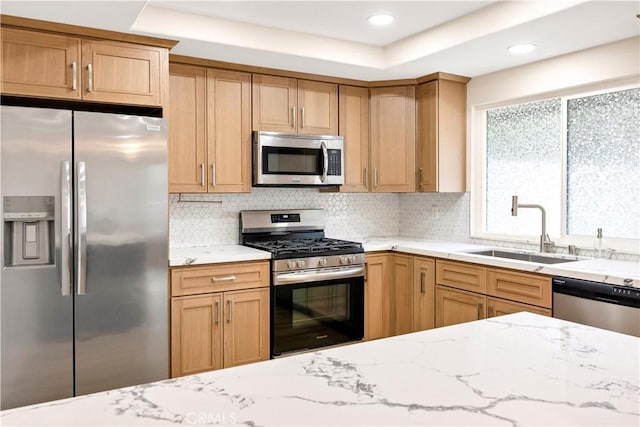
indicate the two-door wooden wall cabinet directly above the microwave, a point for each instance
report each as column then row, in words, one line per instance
column 282, row 104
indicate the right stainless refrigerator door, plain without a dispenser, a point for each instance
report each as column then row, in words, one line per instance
column 121, row 319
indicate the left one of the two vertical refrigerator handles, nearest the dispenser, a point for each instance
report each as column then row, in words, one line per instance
column 65, row 228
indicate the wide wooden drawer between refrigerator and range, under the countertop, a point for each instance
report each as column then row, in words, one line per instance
column 219, row 277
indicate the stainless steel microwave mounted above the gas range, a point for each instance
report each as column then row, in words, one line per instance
column 281, row 159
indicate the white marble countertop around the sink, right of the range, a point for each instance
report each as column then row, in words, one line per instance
column 598, row 270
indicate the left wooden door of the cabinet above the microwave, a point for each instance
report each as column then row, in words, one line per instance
column 274, row 104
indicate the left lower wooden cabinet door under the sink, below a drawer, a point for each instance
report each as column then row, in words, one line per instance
column 454, row 306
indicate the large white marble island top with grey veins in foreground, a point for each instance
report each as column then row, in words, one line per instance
column 520, row 369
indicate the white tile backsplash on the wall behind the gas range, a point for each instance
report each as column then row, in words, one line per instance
column 214, row 219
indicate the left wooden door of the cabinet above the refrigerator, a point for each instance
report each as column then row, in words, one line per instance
column 43, row 65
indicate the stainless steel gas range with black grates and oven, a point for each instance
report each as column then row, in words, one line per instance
column 317, row 283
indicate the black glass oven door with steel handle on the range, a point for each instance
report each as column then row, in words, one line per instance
column 318, row 313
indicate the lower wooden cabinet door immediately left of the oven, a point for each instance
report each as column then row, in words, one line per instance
column 246, row 326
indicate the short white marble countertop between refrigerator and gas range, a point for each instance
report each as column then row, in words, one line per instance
column 214, row 254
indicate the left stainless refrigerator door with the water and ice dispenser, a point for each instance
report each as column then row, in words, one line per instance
column 36, row 350
